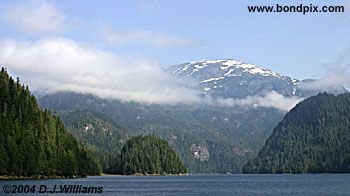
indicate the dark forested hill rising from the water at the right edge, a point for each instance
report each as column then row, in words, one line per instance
column 313, row 137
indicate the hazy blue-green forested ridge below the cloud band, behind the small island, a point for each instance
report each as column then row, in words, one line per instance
column 231, row 134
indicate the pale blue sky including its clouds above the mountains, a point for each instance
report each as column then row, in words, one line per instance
column 83, row 45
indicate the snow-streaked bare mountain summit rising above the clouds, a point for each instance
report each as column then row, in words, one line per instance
column 229, row 78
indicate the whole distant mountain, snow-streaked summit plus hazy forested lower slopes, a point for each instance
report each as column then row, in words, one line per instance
column 208, row 138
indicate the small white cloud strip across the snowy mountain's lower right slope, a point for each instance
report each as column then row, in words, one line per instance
column 271, row 99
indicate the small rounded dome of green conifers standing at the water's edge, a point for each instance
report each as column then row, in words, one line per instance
column 149, row 155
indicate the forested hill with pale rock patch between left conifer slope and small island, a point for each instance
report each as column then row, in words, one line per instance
column 103, row 136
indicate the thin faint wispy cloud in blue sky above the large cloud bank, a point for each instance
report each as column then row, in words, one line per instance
column 149, row 38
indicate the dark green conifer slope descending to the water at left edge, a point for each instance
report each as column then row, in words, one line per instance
column 33, row 142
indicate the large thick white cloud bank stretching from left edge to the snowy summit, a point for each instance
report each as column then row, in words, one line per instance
column 62, row 64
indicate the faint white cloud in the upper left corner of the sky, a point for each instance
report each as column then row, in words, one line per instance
column 37, row 16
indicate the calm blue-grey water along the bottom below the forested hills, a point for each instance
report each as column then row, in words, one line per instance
column 308, row 184
